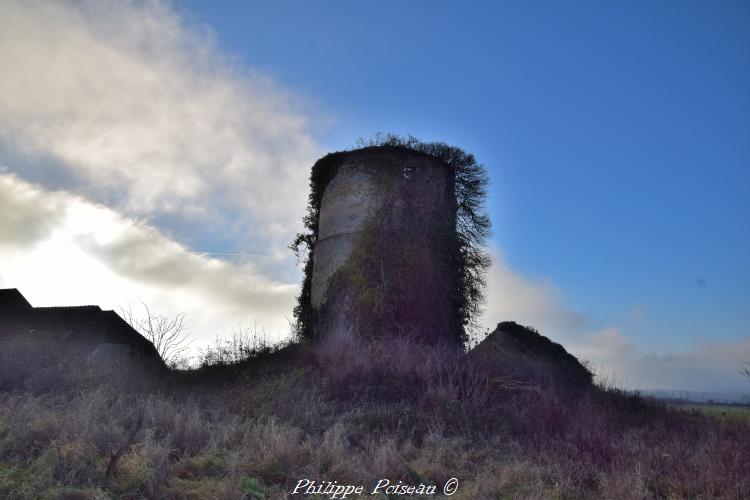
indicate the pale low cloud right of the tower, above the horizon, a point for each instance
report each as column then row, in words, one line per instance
column 708, row 365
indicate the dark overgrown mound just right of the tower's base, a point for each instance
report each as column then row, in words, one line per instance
column 514, row 353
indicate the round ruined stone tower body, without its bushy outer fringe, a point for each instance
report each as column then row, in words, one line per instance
column 384, row 253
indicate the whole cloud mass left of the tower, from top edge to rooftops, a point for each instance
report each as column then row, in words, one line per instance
column 137, row 132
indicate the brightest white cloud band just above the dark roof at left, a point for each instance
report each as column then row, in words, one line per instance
column 88, row 253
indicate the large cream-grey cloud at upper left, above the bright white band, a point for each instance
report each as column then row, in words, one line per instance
column 125, row 103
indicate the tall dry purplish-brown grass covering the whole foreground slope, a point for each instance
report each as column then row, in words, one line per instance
column 352, row 413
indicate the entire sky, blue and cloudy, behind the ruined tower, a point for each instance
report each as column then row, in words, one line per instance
column 136, row 136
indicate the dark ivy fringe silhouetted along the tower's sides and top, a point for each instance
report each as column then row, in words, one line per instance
column 472, row 224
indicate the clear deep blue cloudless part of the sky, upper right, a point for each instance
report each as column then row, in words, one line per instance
column 617, row 134
